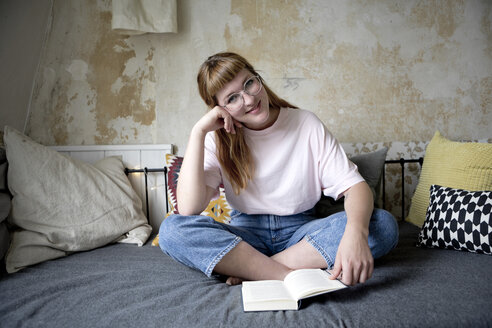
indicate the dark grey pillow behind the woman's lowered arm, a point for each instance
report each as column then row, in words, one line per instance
column 370, row 167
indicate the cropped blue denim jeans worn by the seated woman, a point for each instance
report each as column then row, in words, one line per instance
column 200, row 242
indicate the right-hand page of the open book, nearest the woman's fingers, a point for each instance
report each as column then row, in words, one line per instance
column 310, row 282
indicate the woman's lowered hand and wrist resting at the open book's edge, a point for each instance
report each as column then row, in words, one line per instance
column 354, row 262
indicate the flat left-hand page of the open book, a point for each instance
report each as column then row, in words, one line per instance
column 265, row 290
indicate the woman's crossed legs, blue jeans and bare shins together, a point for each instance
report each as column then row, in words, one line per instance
column 201, row 243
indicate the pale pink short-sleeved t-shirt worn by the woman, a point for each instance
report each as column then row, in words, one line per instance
column 295, row 159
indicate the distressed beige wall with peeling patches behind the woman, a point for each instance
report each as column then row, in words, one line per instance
column 371, row 70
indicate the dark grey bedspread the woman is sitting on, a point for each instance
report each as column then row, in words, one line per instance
column 126, row 286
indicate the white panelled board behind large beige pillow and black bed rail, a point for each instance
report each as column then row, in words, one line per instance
column 134, row 157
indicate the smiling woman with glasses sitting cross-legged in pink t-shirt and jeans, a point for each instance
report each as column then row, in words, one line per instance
column 274, row 161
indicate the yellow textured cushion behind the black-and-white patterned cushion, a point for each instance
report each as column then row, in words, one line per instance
column 461, row 165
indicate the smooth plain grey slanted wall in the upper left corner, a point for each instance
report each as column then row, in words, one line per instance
column 22, row 34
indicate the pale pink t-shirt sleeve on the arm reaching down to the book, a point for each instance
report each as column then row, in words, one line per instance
column 336, row 171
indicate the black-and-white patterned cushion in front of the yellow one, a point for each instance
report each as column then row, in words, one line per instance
column 458, row 219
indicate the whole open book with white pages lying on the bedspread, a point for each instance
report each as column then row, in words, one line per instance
column 271, row 295
